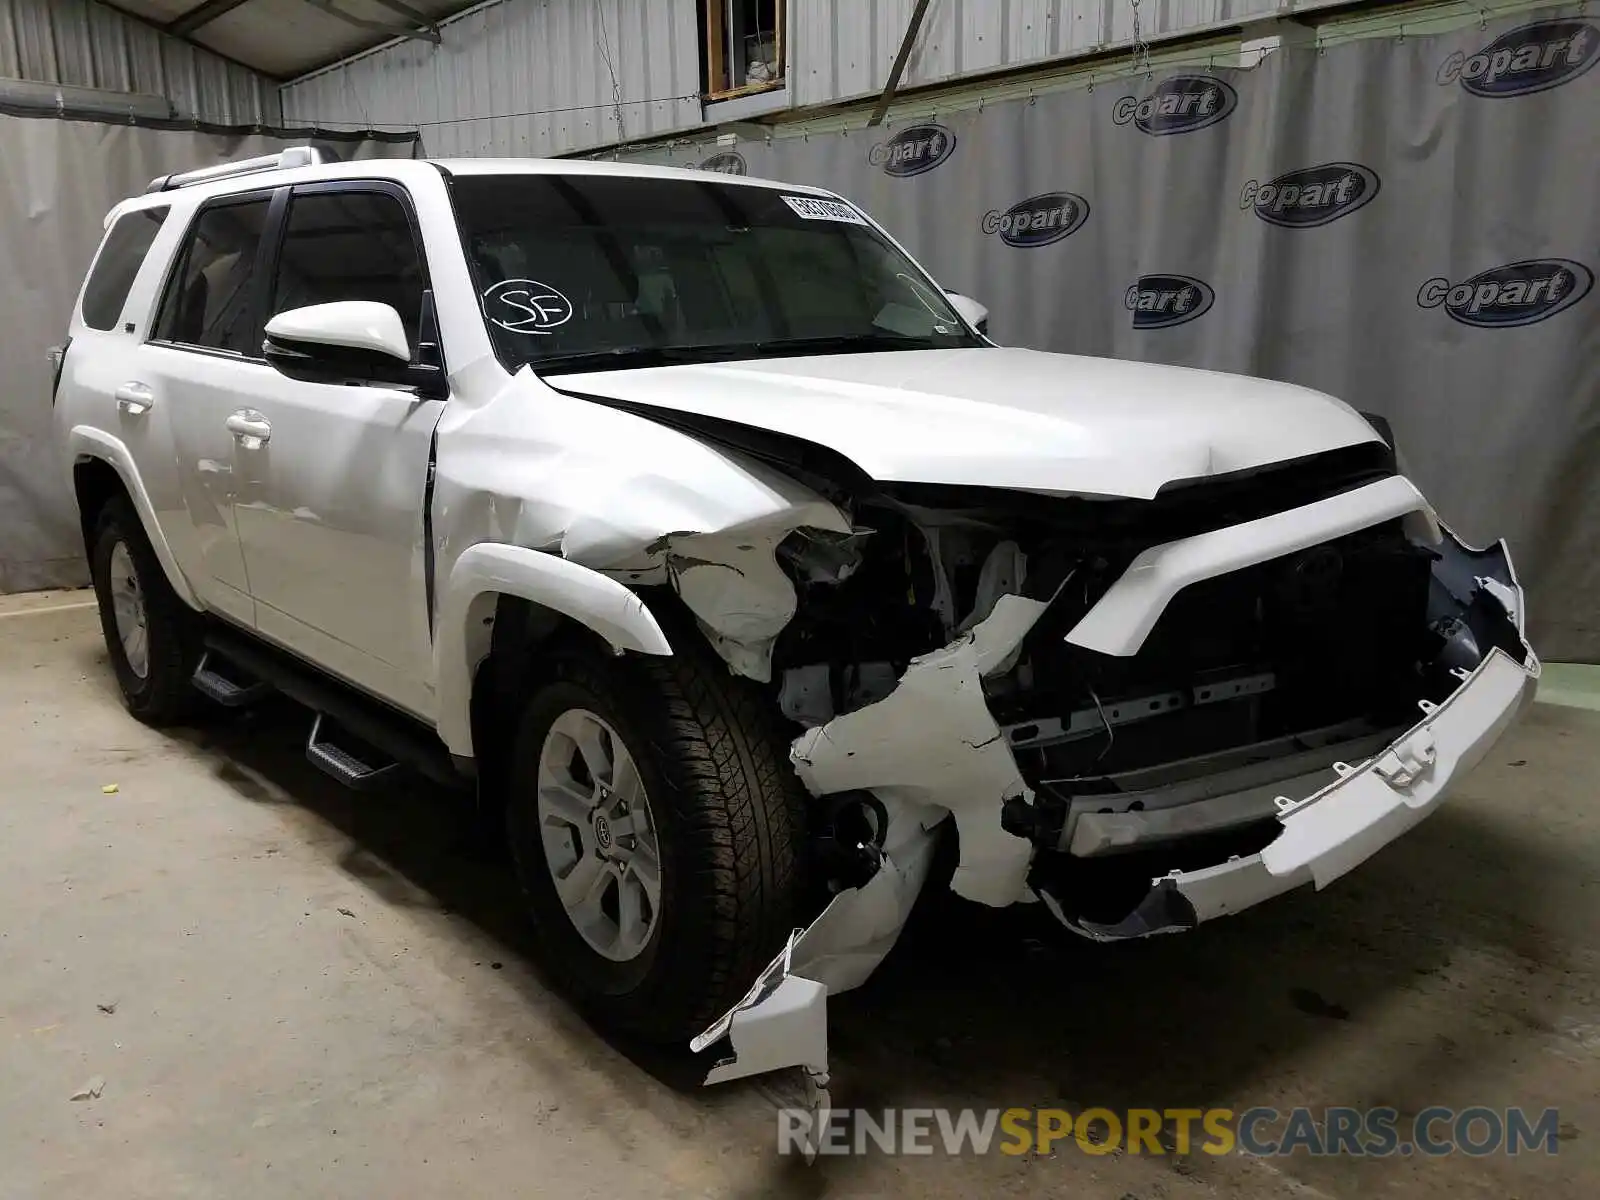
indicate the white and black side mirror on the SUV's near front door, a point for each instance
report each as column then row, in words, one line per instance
column 348, row 343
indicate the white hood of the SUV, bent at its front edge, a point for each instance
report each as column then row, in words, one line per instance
column 1004, row 418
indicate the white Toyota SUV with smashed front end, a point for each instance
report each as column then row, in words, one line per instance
column 716, row 553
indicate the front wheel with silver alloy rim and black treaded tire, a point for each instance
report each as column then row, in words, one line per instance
column 657, row 828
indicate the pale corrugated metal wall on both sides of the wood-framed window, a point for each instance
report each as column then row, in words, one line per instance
column 545, row 57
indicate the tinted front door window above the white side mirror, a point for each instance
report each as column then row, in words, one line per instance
column 351, row 246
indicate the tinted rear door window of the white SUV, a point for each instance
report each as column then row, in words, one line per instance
column 210, row 300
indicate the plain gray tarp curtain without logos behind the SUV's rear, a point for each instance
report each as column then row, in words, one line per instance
column 58, row 180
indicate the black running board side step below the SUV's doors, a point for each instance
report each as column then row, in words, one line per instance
column 340, row 710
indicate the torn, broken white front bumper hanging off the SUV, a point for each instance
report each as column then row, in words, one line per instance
column 959, row 766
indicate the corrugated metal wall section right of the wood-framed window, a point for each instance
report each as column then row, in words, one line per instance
column 844, row 49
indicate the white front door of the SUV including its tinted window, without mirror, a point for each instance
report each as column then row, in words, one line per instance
column 332, row 513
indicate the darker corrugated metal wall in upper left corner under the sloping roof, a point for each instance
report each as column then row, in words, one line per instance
column 92, row 47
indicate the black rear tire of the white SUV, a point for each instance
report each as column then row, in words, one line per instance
column 166, row 694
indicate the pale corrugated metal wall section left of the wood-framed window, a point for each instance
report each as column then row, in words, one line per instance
column 546, row 58
